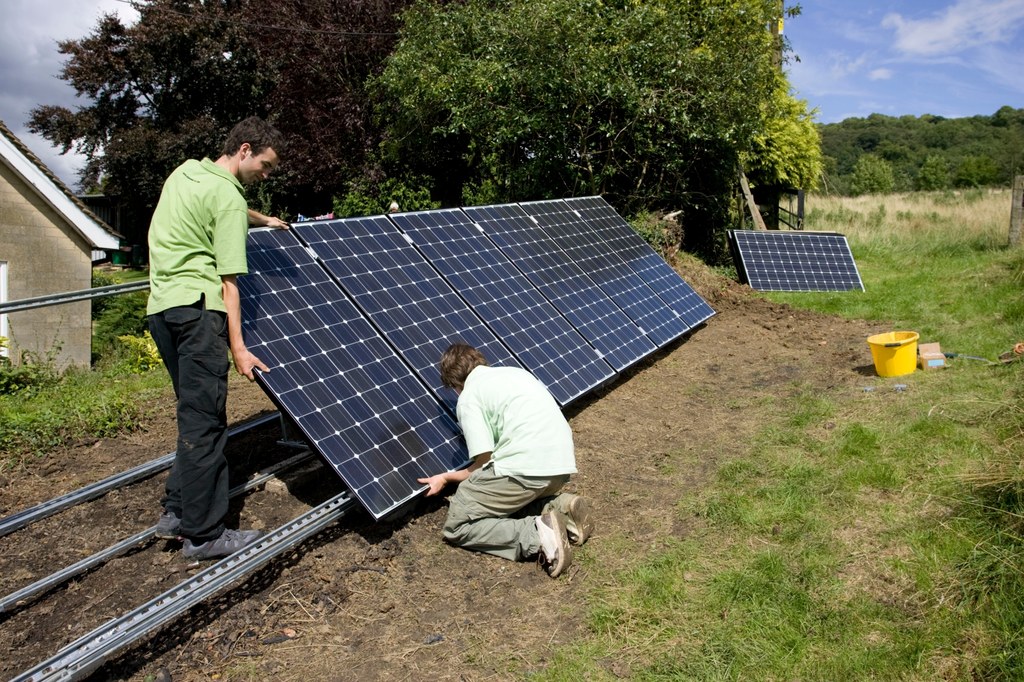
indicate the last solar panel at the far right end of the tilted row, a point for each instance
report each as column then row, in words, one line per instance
column 611, row 231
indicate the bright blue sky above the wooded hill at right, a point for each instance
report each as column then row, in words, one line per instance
column 951, row 59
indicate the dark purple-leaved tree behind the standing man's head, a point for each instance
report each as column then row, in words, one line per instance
column 169, row 88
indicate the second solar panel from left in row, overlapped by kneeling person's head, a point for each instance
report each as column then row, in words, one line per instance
column 406, row 299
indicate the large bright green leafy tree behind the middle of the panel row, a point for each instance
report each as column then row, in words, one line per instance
column 648, row 104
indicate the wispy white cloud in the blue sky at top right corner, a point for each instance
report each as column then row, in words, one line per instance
column 965, row 25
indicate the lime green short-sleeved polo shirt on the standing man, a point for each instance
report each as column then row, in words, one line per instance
column 198, row 234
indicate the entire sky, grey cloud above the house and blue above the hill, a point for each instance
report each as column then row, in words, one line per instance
column 947, row 58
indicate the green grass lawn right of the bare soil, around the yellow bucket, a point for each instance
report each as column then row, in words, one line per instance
column 889, row 549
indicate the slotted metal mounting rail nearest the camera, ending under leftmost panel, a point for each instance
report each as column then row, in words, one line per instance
column 86, row 655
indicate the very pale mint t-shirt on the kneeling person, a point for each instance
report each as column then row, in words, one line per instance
column 507, row 412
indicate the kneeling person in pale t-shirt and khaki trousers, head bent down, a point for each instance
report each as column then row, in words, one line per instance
column 509, row 502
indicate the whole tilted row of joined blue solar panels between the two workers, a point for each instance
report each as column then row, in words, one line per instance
column 352, row 318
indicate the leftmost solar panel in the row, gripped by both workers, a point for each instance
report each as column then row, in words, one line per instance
column 357, row 402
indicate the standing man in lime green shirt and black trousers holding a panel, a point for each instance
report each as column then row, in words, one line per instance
column 197, row 250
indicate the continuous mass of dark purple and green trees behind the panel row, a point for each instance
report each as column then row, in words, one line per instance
column 650, row 104
